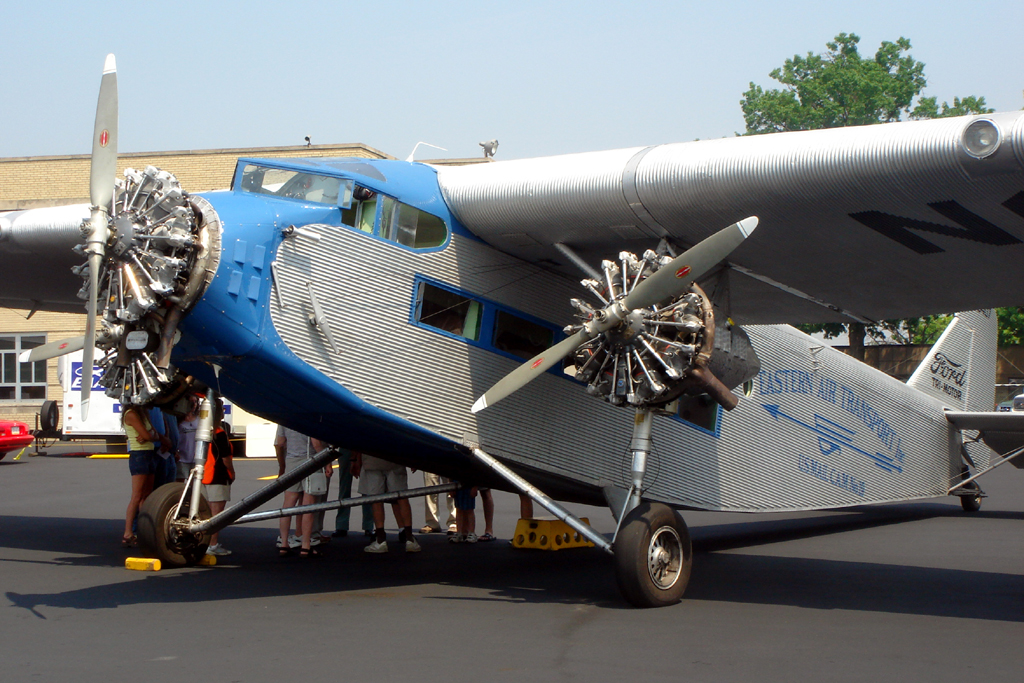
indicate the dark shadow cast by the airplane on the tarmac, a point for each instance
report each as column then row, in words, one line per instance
column 575, row 577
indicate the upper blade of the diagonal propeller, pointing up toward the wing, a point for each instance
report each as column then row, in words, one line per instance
column 674, row 279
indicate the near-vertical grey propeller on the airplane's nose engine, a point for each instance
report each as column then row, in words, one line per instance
column 105, row 162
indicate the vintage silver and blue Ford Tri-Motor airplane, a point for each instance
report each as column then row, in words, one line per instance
column 389, row 307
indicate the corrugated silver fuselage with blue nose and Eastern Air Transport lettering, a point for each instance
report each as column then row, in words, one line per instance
column 817, row 431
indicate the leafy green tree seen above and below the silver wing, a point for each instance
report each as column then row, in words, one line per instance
column 842, row 89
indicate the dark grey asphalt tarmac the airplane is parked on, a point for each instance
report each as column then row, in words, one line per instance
column 919, row 591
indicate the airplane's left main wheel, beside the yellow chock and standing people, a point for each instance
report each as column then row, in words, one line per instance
column 160, row 539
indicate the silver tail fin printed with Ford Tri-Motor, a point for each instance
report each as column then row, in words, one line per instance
column 960, row 370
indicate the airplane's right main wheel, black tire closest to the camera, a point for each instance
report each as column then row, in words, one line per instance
column 653, row 557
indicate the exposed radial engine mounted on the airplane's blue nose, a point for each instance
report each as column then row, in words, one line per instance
column 162, row 252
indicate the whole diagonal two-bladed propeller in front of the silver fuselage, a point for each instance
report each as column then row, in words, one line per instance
column 669, row 281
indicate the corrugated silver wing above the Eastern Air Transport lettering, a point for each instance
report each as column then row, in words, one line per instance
column 867, row 224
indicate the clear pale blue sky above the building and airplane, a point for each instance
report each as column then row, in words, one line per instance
column 542, row 77
